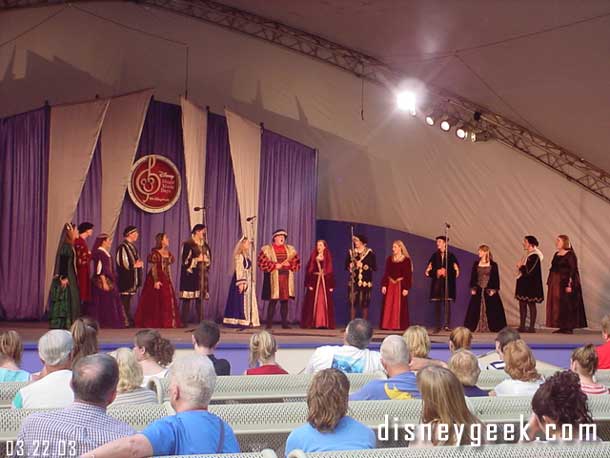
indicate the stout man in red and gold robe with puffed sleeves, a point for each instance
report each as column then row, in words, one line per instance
column 279, row 261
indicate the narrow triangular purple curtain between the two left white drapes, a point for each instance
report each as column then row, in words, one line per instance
column 89, row 206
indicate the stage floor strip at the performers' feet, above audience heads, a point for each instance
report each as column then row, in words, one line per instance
column 31, row 332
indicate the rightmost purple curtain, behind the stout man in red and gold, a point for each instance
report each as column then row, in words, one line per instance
column 288, row 201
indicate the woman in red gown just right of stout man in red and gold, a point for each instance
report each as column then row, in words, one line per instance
column 318, row 308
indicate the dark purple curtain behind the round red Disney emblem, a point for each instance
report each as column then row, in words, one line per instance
column 162, row 134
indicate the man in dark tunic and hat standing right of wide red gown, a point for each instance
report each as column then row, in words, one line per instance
column 194, row 268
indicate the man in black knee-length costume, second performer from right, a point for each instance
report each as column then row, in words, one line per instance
column 529, row 291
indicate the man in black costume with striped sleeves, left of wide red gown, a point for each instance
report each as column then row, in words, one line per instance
column 129, row 269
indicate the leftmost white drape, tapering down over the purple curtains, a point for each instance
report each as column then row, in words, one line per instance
column 74, row 133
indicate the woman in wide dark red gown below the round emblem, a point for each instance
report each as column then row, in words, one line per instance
column 158, row 307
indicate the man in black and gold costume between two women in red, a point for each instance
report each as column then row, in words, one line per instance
column 361, row 263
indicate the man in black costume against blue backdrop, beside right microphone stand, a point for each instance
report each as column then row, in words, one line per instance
column 437, row 271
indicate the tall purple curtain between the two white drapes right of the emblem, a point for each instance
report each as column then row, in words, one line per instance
column 224, row 228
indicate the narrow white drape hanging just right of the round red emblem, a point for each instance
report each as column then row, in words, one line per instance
column 194, row 134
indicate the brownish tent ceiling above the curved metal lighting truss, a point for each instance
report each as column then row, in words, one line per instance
column 544, row 64
